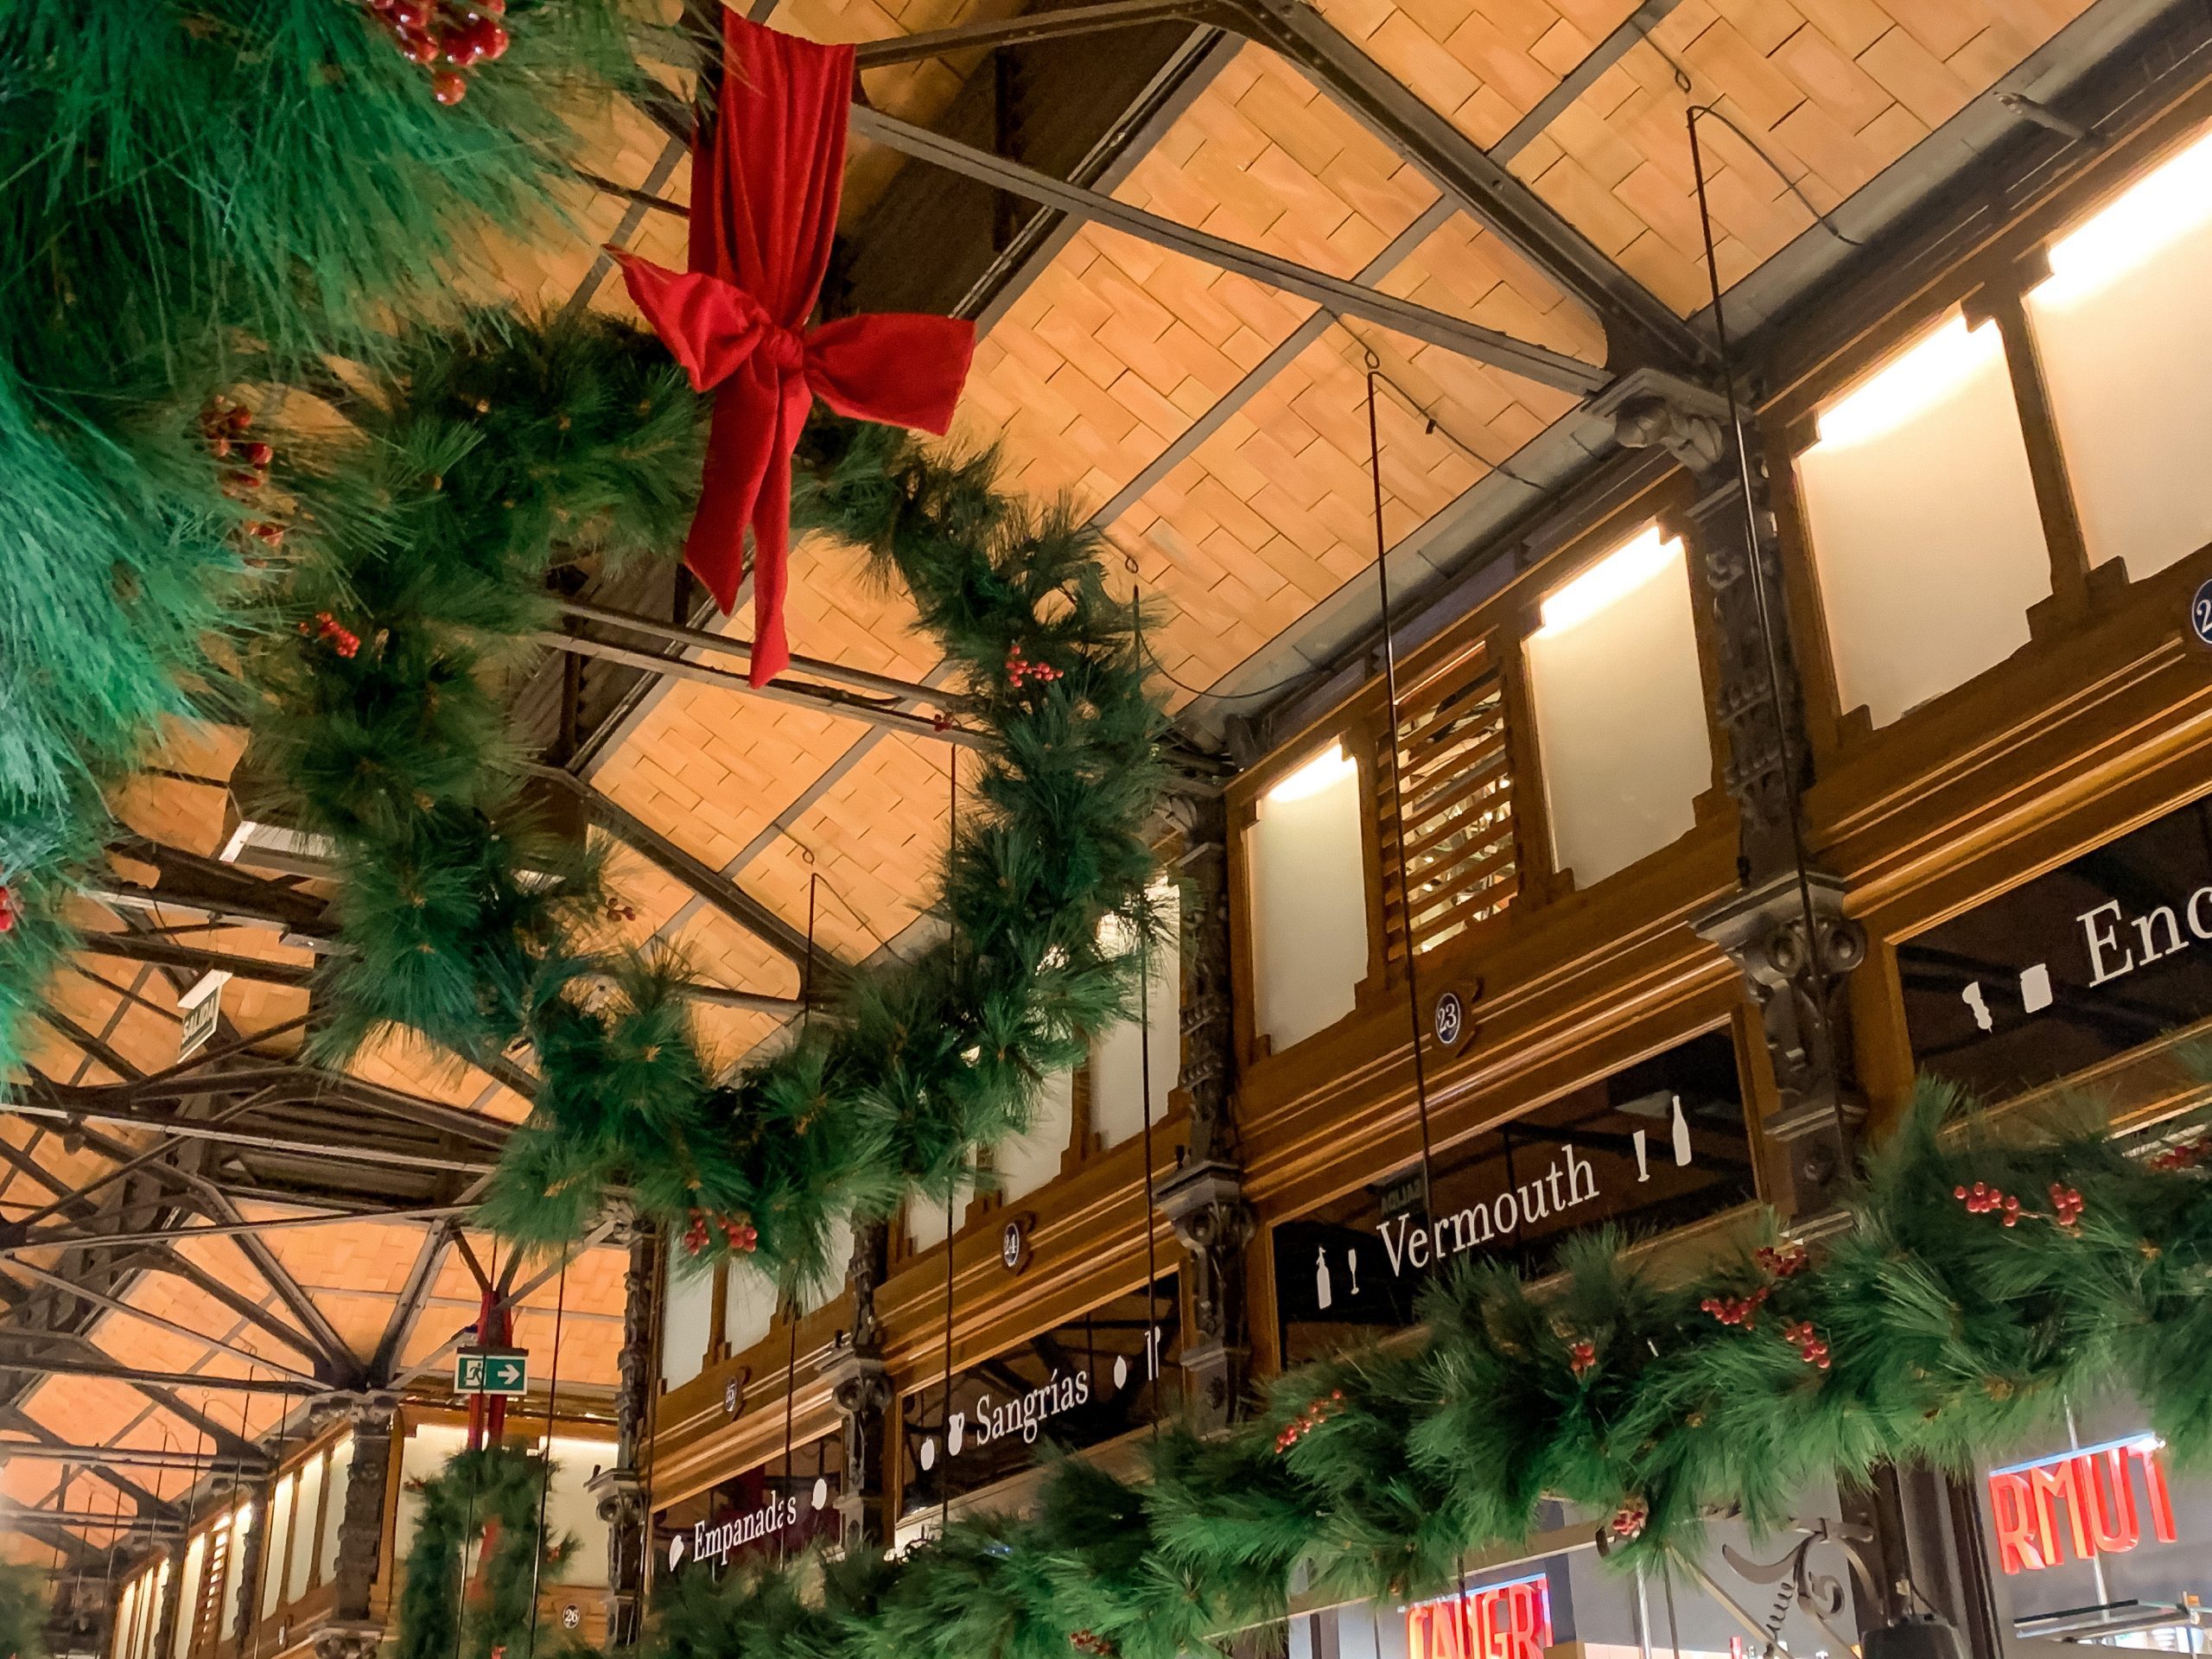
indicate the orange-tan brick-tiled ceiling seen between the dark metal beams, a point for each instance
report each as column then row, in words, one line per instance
column 1213, row 428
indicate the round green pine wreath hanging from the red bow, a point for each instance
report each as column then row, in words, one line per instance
column 483, row 461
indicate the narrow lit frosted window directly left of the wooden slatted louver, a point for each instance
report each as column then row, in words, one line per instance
column 1308, row 899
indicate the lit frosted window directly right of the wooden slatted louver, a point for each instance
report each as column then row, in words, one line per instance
column 1620, row 709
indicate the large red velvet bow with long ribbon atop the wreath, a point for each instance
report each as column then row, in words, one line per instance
column 766, row 187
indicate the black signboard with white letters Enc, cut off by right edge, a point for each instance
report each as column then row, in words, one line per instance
column 2074, row 968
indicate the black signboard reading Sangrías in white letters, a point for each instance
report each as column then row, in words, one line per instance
column 1074, row 1386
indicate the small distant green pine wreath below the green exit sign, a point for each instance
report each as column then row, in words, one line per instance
column 499, row 1492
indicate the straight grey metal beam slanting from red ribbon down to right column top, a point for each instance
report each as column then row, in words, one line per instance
column 1348, row 300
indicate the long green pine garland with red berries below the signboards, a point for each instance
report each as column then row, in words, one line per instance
column 1950, row 1337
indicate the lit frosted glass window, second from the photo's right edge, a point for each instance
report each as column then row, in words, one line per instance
column 1923, row 523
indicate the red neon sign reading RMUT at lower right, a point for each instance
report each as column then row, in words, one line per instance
column 2098, row 1490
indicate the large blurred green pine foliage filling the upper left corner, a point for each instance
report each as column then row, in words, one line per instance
column 205, row 198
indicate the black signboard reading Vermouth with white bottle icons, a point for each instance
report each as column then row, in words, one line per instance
column 1653, row 1147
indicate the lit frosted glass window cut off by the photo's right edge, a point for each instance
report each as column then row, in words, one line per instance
column 2127, row 346
